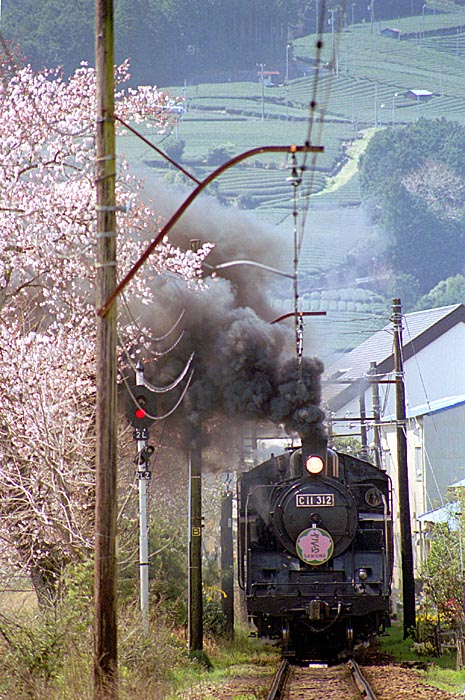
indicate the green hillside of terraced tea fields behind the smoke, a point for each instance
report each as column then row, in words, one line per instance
column 365, row 88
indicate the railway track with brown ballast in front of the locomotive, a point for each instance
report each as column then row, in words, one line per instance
column 320, row 682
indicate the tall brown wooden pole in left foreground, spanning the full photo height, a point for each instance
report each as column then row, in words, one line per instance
column 105, row 632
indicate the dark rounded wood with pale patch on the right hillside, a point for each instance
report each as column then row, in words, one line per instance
column 413, row 180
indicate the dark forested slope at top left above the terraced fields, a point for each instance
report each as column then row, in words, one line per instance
column 166, row 40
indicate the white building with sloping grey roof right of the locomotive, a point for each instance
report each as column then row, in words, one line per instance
column 433, row 353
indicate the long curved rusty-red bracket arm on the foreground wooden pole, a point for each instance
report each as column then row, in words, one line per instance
column 103, row 310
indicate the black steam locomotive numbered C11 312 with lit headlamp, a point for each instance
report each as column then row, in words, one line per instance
column 315, row 550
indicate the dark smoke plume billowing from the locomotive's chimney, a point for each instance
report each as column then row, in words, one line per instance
column 245, row 366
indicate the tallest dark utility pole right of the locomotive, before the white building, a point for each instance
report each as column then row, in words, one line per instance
column 408, row 580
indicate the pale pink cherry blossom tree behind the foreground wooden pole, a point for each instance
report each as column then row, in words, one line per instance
column 47, row 322
